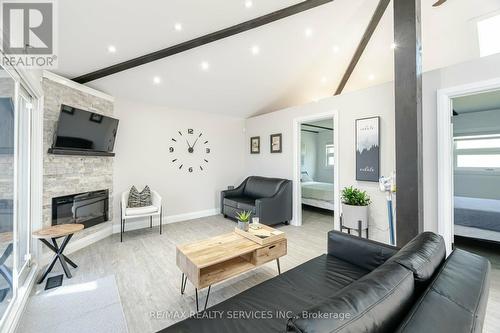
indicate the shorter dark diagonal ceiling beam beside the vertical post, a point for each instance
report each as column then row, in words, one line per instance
column 370, row 29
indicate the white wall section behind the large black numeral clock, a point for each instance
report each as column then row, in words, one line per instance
column 143, row 157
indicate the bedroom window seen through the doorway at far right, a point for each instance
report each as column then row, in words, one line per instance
column 478, row 153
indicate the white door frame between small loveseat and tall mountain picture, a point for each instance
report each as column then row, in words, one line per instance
column 297, row 190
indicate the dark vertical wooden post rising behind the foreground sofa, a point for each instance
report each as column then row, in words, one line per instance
column 408, row 119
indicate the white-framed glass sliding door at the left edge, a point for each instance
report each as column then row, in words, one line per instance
column 15, row 187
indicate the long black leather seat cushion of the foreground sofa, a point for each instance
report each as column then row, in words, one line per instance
column 270, row 304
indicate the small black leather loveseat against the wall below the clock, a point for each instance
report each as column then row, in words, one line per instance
column 270, row 199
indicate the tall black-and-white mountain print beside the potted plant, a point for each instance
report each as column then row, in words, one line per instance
column 368, row 149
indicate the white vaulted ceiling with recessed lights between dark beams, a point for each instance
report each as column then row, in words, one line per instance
column 290, row 69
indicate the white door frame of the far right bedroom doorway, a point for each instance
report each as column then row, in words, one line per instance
column 445, row 151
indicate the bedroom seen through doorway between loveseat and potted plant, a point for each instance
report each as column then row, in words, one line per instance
column 317, row 165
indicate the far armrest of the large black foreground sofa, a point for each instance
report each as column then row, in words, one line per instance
column 359, row 251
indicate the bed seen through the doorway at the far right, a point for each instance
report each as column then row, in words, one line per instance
column 477, row 213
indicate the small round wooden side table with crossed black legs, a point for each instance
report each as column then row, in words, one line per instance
column 63, row 230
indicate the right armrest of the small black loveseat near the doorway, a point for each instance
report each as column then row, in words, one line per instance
column 277, row 208
